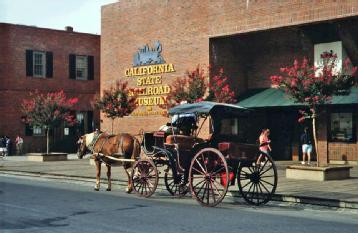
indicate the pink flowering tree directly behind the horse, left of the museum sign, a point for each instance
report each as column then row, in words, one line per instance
column 118, row 101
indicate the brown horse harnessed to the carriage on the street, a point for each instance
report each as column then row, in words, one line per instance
column 102, row 145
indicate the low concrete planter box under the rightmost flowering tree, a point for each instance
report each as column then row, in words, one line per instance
column 318, row 173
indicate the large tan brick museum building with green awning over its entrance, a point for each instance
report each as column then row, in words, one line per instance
column 251, row 40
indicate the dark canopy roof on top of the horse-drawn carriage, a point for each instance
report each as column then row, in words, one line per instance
column 210, row 108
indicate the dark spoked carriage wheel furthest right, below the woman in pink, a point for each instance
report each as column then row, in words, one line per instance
column 257, row 181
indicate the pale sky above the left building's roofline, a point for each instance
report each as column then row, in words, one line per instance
column 82, row 15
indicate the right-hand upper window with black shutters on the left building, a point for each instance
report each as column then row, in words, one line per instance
column 81, row 67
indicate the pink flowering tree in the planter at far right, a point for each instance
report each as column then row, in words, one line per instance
column 315, row 86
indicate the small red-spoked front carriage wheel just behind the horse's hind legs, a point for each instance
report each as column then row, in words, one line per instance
column 144, row 177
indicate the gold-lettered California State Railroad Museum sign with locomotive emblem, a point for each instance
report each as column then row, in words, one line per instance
column 149, row 68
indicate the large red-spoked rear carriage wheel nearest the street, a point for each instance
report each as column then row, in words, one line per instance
column 207, row 168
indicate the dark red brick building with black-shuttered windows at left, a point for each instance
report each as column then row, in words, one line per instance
column 47, row 60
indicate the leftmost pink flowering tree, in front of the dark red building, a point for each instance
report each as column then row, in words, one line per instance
column 48, row 111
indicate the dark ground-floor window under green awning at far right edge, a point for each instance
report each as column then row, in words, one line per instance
column 342, row 128
